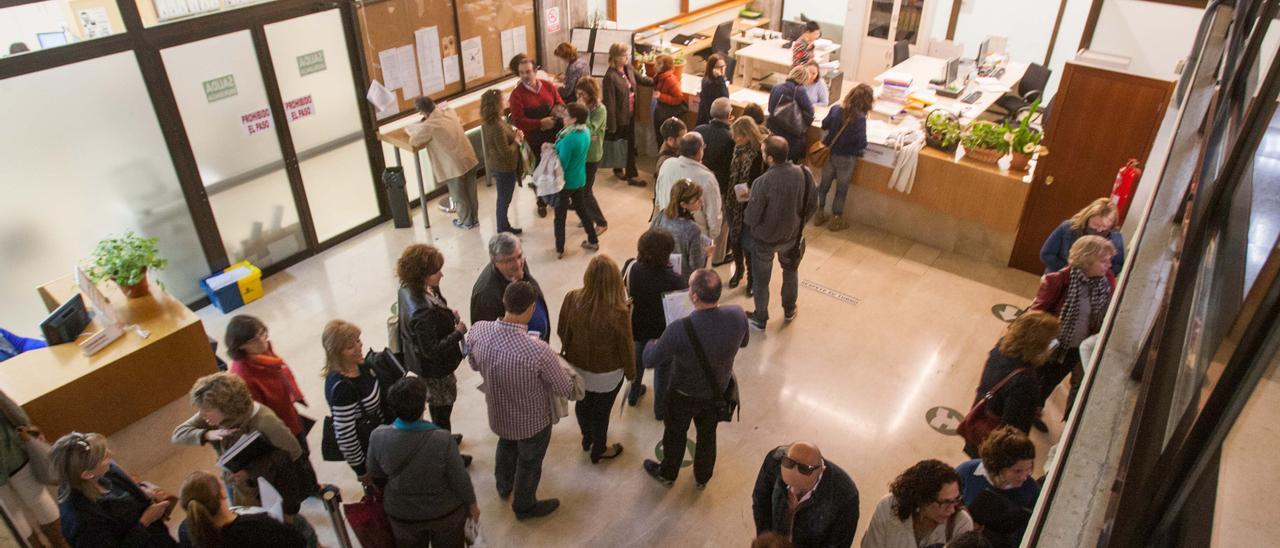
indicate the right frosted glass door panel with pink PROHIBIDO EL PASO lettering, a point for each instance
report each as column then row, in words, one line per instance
column 314, row 71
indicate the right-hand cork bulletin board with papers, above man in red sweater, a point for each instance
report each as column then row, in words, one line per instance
column 492, row 25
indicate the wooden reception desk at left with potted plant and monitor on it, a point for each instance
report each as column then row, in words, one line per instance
column 65, row 391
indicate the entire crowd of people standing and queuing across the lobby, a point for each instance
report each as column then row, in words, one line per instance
column 732, row 191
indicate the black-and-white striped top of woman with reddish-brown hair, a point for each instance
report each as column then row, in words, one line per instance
column 350, row 399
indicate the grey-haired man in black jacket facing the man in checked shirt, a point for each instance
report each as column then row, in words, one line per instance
column 508, row 266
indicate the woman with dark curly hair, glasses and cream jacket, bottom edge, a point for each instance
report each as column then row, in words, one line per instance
column 922, row 510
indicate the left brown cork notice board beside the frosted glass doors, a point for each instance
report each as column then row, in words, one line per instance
column 388, row 25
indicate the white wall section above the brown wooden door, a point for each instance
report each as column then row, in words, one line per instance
column 1155, row 36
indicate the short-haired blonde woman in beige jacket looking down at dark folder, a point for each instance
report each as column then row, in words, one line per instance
column 226, row 414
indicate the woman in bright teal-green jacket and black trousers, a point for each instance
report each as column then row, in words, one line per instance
column 573, row 145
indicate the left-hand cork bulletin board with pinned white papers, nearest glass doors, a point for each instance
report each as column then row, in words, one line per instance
column 392, row 25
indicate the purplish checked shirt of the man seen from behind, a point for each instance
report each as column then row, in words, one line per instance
column 520, row 375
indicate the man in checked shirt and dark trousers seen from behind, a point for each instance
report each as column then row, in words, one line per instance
column 520, row 373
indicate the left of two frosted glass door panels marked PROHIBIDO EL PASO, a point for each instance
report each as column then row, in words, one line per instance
column 223, row 104
